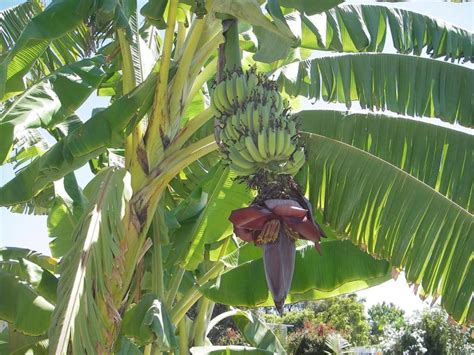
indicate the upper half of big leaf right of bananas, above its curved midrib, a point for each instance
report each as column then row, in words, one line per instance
column 439, row 156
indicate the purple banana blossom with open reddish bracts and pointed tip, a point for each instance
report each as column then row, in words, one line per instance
column 275, row 226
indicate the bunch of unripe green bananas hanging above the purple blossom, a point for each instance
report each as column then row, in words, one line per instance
column 257, row 131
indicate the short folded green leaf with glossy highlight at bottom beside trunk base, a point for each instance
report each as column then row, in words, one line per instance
column 148, row 322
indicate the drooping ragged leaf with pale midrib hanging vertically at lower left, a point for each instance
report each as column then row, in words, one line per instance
column 82, row 314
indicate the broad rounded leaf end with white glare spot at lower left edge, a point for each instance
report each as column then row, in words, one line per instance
column 22, row 307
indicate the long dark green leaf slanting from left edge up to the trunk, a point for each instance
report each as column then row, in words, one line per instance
column 104, row 129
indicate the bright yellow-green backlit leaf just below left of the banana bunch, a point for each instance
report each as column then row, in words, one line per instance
column 224, row 194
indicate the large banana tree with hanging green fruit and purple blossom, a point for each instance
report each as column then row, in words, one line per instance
column 149, row 237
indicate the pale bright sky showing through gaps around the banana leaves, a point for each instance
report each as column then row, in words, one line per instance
column 31, row 231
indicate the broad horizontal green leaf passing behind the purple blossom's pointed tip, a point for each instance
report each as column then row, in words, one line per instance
column 341, row 268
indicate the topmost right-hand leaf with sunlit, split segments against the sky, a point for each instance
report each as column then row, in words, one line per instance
column 363, row 28
